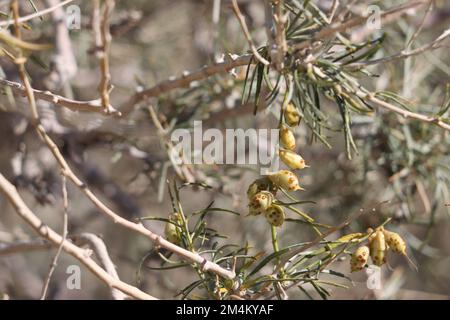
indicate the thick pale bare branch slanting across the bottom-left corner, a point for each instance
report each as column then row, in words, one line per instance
column 49, row 234
